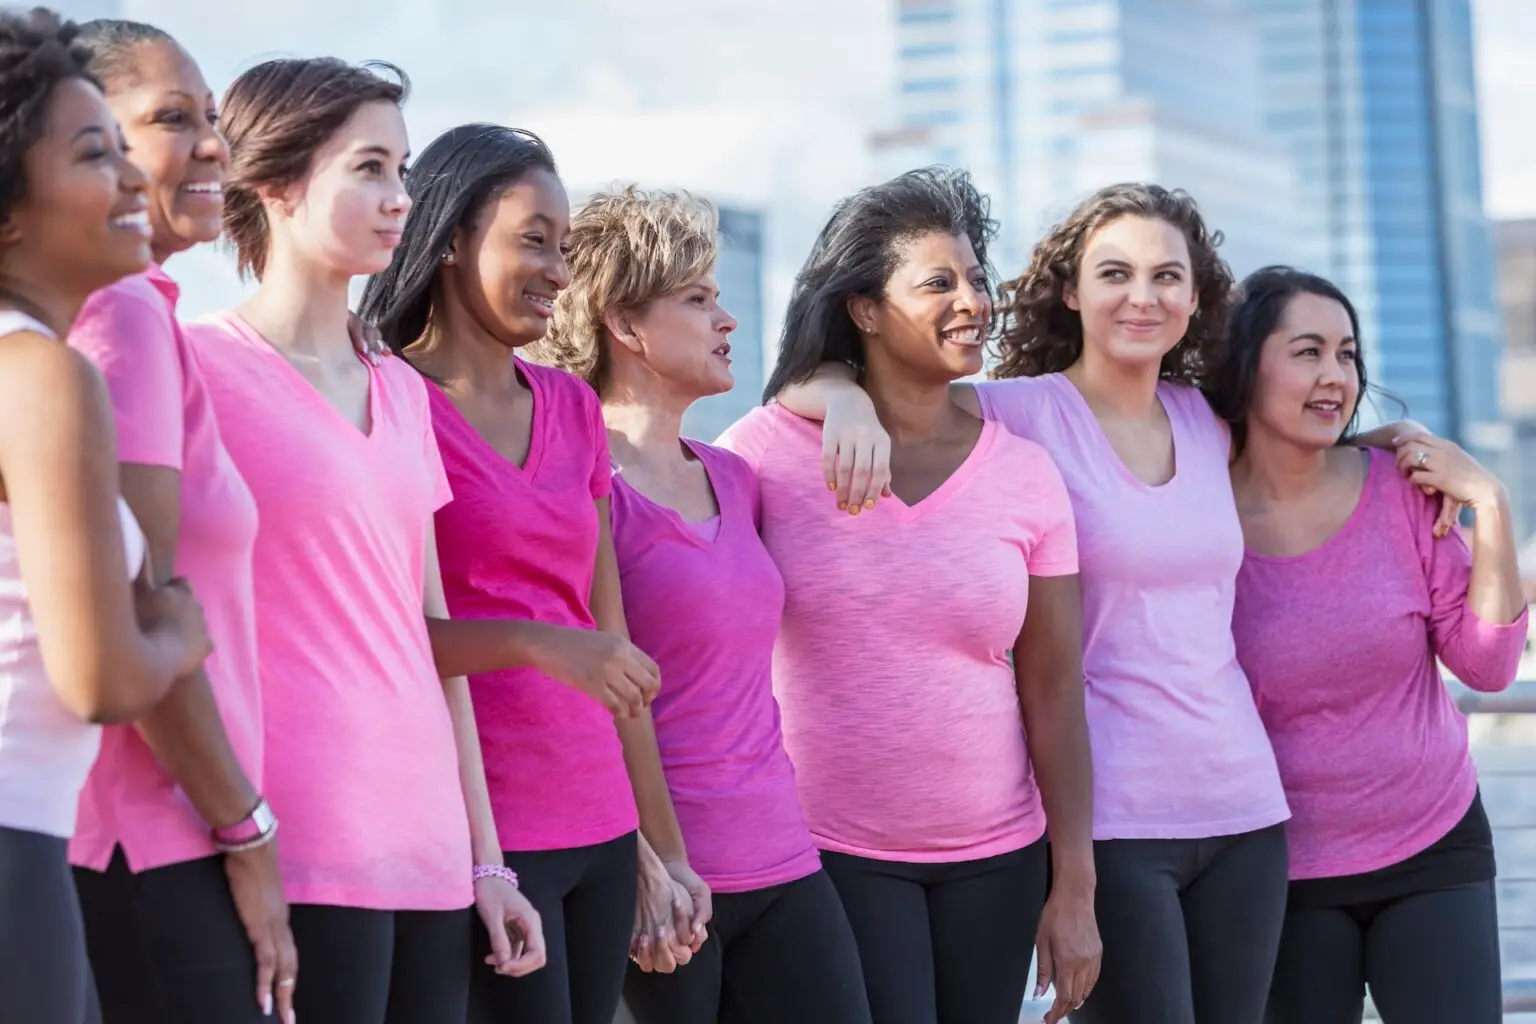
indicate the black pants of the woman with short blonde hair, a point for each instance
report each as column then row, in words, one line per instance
column 773, row 957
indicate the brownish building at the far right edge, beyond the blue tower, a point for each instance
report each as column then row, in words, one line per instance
column 1515, row 243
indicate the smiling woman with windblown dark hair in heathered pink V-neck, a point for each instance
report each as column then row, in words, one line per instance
column 929, row 784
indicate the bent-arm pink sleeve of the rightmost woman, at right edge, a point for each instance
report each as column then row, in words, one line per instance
column 1483, row 655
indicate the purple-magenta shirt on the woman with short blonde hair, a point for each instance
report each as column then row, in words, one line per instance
column 707, row 607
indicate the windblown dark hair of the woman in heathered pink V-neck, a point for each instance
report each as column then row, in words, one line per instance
column 858, row 253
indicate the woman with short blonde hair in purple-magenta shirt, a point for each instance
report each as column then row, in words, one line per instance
column 641, row 323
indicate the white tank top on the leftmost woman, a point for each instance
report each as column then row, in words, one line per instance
column 45, row 750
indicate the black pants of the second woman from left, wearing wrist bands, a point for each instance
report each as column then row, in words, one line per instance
column 167, row 945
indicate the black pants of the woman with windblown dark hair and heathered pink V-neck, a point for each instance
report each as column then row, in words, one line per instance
column 944, row 943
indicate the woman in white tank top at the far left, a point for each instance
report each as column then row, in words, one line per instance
column 79, row 646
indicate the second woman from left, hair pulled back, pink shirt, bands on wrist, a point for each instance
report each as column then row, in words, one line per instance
column 179, row 930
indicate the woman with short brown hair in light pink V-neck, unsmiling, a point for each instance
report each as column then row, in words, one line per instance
column 372, row 764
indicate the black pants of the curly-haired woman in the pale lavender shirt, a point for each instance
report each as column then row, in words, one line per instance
column 1190, row 930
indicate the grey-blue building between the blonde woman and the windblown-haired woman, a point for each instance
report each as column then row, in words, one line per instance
column 741, row 279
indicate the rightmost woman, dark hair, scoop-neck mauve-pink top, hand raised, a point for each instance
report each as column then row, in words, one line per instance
column 1345, row 606
